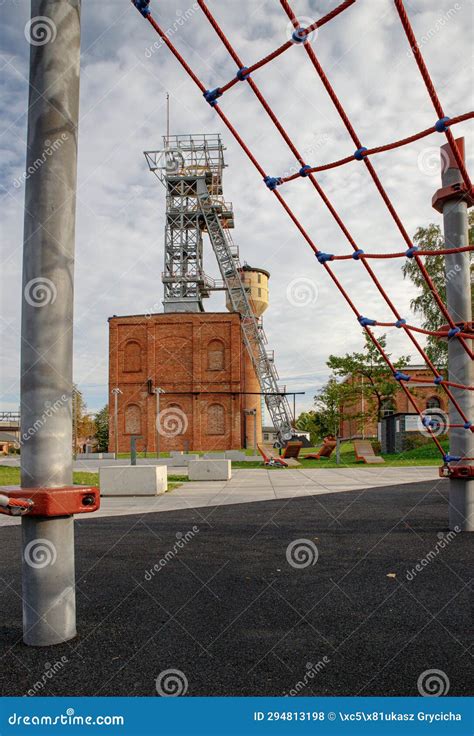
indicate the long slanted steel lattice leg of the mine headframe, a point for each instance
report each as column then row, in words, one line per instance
column 254, row 335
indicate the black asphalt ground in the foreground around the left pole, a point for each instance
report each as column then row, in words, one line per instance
column 234, row 617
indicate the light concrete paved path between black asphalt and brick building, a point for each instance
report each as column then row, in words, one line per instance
column 257, row 484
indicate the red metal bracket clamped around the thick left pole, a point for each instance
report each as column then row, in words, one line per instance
column 64, row 501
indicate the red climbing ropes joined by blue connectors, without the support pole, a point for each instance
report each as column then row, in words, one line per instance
column 361, row 154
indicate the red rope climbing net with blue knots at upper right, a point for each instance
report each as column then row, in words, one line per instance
column 443, row 125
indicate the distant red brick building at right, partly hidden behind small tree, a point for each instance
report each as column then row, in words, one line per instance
column 427, row 397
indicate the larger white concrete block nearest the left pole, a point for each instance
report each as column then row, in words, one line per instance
column 133, row 480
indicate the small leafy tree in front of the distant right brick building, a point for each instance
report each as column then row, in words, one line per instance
column 365, row 376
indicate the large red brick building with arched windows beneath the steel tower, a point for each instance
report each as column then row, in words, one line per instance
column 200, row 362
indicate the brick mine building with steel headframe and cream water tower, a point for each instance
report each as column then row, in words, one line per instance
column 187, row 379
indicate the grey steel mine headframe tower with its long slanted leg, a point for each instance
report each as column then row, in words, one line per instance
column 191, row 168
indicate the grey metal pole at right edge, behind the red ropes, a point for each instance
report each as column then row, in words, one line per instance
column 459, row 303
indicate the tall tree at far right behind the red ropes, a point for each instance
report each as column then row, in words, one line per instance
column 431, row 238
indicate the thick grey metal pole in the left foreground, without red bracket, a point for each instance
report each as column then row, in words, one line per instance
column 49, row 615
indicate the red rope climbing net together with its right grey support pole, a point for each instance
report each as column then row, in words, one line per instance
column 457, row 466
